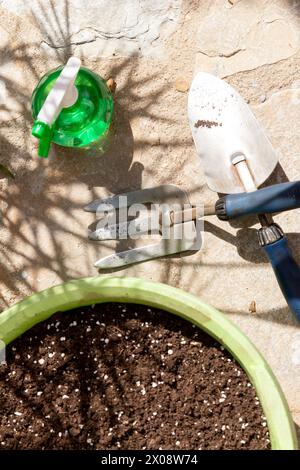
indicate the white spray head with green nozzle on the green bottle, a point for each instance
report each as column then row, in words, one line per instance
column 63, row 95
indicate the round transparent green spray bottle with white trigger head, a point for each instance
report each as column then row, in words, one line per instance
column 71, row 106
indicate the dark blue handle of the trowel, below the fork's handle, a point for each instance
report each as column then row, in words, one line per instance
column 284, row 265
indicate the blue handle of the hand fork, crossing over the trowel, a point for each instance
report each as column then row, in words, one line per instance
column 277, row 198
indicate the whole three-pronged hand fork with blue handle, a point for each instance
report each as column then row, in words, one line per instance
column 276, row 198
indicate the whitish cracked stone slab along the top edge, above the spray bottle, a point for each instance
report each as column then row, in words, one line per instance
column 100, row 28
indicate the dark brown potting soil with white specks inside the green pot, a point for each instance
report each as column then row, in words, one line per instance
column 120, row 376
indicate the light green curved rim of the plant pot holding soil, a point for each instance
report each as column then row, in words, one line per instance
column 38, row 307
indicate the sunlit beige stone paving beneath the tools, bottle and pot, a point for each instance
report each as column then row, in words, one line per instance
column 152, row 48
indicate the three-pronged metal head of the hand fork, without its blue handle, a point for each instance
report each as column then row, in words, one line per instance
column 182, row 236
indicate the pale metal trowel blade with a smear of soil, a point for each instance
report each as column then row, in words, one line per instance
column 223, row 126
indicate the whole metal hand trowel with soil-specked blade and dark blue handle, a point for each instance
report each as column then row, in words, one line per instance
column 237, row 156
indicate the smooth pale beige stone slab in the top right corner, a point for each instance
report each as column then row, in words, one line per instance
column 246, row 35
